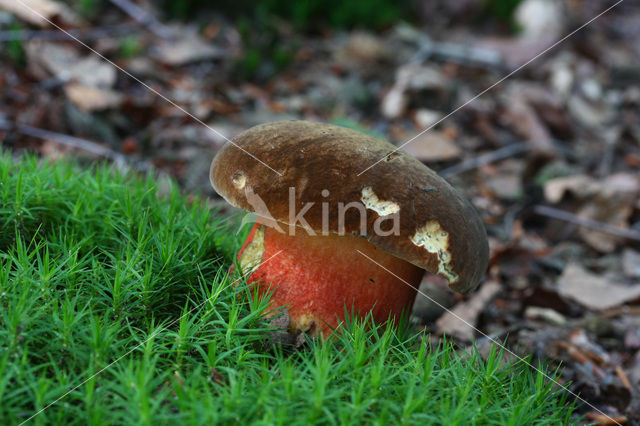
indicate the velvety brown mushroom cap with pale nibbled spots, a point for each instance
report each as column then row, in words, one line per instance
column 439, row 230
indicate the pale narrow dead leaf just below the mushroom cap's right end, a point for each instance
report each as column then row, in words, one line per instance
column 461, row 320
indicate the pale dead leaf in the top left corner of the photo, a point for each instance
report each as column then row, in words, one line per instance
column 38, row 12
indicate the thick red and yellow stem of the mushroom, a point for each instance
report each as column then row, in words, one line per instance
column 317, row 277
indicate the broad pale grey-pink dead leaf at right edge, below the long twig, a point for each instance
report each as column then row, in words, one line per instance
column 593, row 291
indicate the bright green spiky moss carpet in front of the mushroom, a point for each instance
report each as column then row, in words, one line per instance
column 115, row 307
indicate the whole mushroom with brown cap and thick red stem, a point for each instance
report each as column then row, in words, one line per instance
column 348, row 238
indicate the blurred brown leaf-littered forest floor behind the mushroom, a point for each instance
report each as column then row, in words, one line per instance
column 544, row 139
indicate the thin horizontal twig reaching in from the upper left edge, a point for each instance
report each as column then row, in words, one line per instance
column 54, row 35
